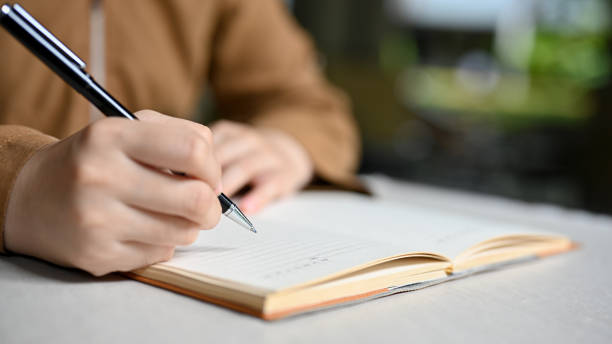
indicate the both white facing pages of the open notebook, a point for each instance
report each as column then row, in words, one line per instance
column 316, row 234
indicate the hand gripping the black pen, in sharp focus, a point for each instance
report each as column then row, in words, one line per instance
column 101, row 201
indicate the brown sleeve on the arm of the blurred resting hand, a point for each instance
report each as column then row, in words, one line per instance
column 264, row 72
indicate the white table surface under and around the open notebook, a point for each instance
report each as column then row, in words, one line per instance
column 565, row 299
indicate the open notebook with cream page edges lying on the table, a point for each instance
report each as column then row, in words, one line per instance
column 321, row 249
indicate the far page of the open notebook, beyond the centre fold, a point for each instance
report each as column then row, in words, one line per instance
column 414, row 228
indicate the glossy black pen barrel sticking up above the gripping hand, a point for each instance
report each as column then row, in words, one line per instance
column 62, row 66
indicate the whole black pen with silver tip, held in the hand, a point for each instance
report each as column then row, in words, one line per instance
column 65, row 63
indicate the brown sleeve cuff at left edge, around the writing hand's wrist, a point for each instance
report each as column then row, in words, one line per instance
column 17, row 145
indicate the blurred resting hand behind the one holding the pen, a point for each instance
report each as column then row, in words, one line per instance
column 270, row 161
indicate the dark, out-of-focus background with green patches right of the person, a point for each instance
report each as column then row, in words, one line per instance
column 506, row 97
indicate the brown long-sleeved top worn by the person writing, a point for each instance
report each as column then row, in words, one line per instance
column 160, row 54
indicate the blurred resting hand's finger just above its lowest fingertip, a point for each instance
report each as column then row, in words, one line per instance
column 241, row 172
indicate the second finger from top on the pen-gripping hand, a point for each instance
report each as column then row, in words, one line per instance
column 159, row 192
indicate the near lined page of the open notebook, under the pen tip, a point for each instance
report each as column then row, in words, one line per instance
column 278, row 256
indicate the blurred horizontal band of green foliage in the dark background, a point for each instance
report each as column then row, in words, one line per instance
column 509, row 105
